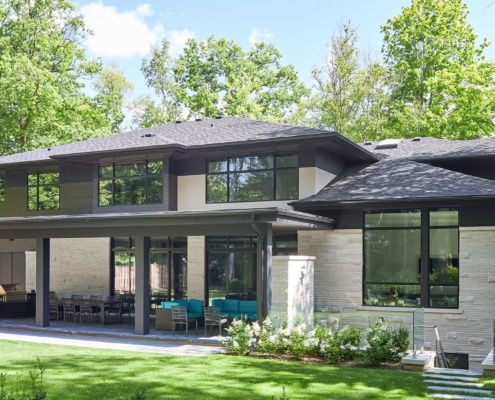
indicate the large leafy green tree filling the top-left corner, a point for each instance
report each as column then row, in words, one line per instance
column 42, row 65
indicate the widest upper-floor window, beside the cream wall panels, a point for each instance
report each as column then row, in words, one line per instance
column 253, row 178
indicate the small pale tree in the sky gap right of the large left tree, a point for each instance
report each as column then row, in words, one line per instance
column 112, row 87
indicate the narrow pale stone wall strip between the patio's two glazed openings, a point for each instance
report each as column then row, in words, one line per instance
column 196, row 267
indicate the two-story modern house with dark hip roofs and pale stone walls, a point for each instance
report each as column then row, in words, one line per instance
column 212, row 208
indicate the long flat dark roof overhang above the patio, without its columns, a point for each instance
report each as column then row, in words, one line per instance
column 159, row 224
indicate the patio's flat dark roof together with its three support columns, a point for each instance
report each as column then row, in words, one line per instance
column 143, row 226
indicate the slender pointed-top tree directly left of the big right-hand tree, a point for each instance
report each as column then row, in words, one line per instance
column 350, row 90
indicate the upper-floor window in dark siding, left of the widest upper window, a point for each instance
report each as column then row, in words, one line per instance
column 130, row 184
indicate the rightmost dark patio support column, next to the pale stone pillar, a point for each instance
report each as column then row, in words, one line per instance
column 264, row 270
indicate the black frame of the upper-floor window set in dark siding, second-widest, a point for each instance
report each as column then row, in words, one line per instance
column 147, row 178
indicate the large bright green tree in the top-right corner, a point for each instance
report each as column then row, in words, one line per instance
column 442, row 86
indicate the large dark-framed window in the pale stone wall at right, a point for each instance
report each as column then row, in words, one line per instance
column 396, row 252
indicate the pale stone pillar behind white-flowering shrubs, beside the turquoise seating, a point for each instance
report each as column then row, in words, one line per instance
column 292, row 289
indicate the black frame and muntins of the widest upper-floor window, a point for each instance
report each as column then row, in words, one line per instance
column 228, row 173
